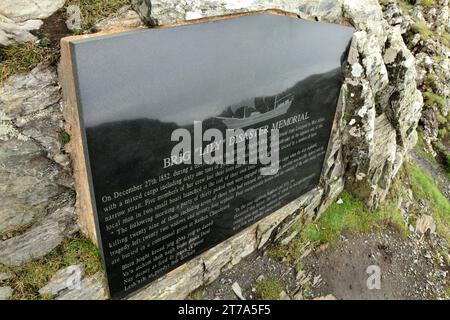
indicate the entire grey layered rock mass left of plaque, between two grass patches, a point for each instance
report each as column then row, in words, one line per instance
column 35, row 180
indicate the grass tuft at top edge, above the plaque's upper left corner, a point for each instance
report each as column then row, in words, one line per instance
column 93, row 11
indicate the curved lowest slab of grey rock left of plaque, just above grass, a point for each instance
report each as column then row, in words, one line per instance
column 41, row 238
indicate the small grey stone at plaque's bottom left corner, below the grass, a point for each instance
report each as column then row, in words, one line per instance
column 92, row 288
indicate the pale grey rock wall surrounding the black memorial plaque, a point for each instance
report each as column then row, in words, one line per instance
column 375, row 127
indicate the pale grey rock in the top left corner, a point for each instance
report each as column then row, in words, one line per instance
column 22, row 10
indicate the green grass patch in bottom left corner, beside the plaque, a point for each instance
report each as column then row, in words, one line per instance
column 30, row 277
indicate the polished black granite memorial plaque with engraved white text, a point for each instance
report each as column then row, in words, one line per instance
column 135, row 89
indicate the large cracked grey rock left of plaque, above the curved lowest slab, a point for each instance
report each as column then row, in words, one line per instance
column 30, row 119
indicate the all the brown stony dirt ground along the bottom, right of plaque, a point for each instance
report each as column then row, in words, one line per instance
column 409, row 268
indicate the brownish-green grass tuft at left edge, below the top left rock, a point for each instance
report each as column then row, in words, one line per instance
column 24, row 57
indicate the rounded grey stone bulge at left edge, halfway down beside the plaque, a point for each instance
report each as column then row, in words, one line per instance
column 28, row 182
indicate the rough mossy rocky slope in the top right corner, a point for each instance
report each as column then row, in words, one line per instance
column 426, row 33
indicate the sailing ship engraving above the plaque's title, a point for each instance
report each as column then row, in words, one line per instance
column 280, row 107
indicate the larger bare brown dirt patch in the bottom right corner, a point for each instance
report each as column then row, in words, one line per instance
column 408, row 268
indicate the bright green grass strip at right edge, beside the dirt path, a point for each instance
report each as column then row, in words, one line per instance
column 424, row 187
